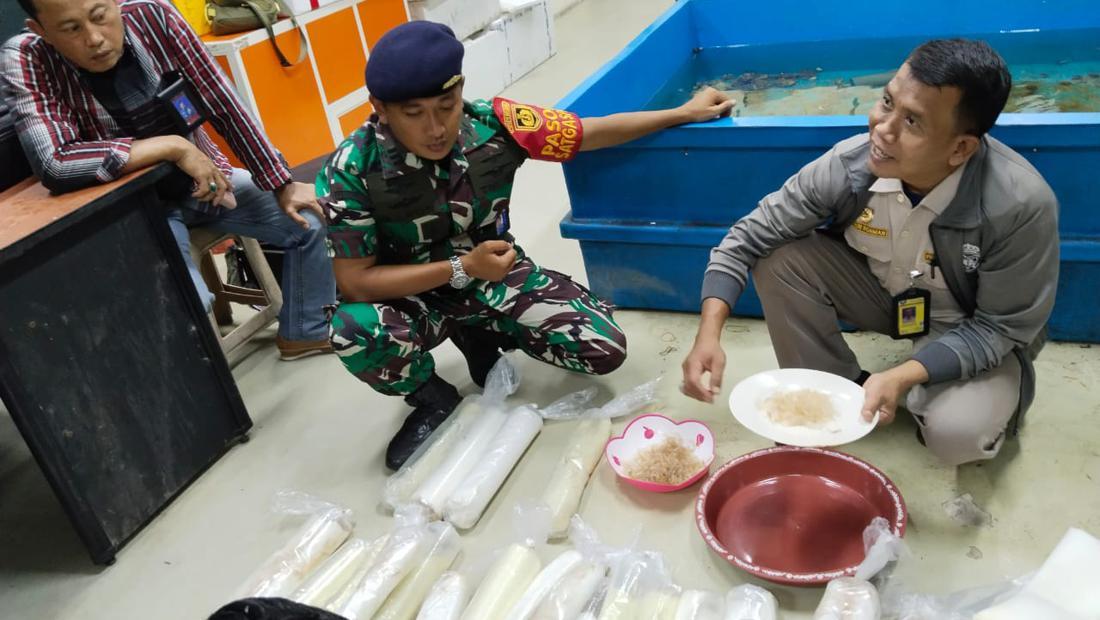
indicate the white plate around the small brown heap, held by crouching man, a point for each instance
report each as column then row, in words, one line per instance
column 747, row 400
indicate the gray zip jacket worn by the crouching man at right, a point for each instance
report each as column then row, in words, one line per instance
column 997, row 245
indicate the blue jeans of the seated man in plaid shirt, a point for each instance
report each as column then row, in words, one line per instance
column 309, row 285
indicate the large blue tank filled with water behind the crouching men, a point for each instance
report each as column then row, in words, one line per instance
column 805, row 75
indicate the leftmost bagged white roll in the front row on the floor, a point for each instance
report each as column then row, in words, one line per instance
column 326, row 529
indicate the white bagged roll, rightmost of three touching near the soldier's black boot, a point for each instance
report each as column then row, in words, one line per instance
column 468, row 503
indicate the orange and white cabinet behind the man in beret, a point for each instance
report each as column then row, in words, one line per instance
column 306, row 110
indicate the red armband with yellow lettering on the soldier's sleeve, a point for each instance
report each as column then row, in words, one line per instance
column 545, row 134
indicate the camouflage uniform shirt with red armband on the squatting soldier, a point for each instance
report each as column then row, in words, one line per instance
column 382, row 201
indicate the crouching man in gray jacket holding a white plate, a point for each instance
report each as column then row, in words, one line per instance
column 925, row 228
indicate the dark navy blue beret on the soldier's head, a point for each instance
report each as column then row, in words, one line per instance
column 415, row 60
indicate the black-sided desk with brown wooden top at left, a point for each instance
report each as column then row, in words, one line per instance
column 108, row 363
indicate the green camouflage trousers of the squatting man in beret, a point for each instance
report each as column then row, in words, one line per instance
column 551, row 317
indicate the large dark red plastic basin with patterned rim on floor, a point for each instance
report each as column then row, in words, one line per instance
column 796, row 516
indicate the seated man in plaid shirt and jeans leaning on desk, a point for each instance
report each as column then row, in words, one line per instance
column 83, row 86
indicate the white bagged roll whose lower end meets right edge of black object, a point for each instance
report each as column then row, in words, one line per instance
column 406, row 549
